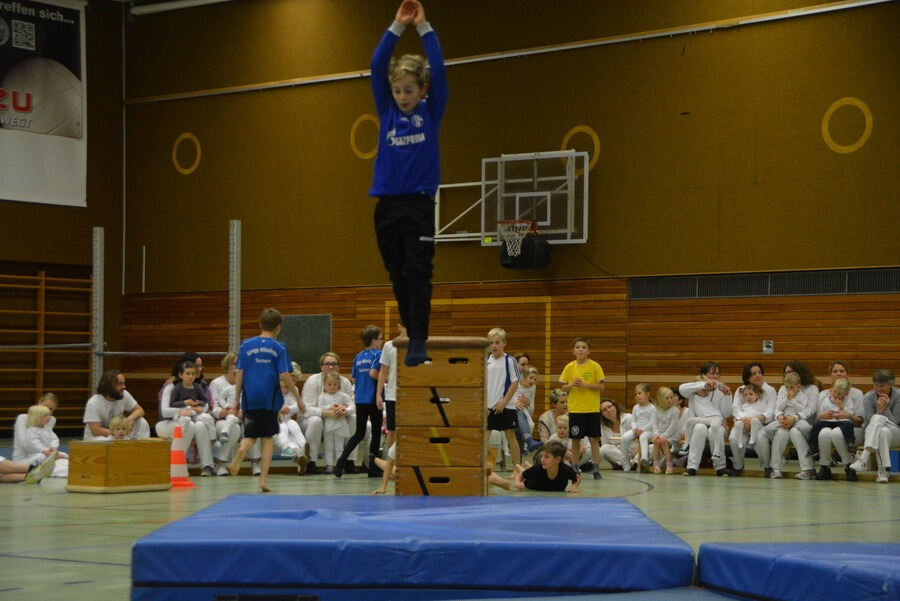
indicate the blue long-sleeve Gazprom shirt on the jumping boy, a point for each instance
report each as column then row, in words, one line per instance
column 408, row 160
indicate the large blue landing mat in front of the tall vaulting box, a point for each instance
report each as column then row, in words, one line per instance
column 350, row 547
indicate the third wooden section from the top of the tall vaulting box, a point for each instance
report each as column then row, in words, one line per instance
column 442, row 447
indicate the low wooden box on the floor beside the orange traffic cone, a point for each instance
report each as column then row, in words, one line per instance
column 119, row 465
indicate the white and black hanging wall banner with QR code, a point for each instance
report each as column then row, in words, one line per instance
column 43, row 109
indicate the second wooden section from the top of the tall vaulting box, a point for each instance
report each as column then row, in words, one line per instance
column 441, row 406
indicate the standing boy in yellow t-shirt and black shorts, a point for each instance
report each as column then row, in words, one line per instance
column 583, row 380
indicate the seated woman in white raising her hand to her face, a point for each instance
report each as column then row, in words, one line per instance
column 710, row 401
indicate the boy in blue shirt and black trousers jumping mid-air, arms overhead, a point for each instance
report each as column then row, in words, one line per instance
column 407, row 168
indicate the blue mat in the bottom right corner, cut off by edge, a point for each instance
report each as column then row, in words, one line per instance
column 801, row 571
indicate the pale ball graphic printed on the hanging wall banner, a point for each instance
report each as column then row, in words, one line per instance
column 42, row 96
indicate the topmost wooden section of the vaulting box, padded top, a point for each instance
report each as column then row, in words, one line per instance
column 454, row 361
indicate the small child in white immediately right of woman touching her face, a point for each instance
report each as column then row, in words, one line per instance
column 751, row 414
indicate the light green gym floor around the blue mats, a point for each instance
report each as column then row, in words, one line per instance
column 60, row 545
